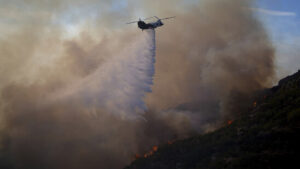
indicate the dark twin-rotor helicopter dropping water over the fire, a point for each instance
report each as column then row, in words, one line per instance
column 152, row 25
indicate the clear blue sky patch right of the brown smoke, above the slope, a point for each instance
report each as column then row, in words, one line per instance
column 282, row 20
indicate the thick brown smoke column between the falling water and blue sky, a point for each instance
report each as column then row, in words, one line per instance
column 221, row 55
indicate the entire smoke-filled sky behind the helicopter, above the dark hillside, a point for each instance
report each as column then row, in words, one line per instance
column 81, row 89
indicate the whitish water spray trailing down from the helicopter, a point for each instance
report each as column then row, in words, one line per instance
column 120, row 84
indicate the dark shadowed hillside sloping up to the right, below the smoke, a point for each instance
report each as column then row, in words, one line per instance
column 264, row 137
